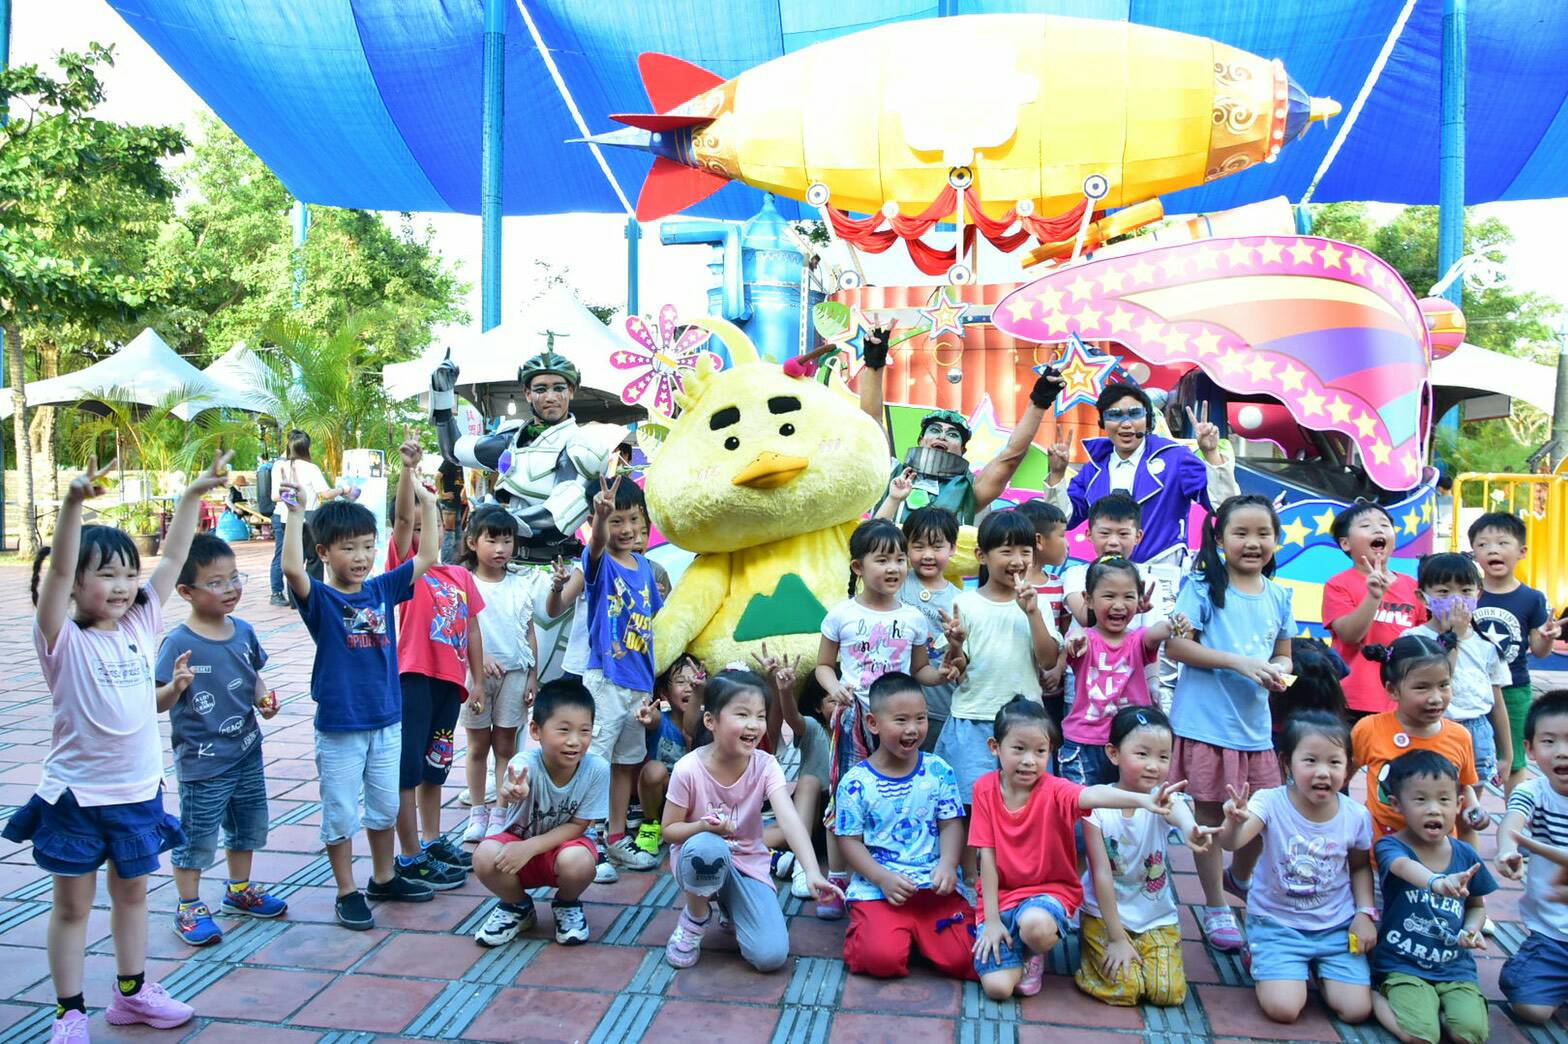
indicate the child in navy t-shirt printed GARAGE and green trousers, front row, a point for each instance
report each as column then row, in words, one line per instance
column 1432, row 910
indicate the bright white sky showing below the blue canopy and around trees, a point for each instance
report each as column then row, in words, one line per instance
column 590, row 250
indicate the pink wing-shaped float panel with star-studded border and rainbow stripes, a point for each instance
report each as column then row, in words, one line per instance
column 1326, row 328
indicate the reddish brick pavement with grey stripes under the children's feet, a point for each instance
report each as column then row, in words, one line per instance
column 419, row 976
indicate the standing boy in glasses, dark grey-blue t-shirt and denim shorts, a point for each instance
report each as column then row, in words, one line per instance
column 209, row 681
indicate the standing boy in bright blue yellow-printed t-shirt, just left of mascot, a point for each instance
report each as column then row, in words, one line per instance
column 622, row 596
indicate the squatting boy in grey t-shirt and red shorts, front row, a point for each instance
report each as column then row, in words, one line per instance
column 554, row 791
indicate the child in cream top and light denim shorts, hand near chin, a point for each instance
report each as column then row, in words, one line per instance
column 1004, row 637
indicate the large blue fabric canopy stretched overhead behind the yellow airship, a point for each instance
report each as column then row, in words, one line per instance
column 377, row 103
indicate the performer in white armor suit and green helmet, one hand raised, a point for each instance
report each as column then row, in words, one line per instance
column 548, row 468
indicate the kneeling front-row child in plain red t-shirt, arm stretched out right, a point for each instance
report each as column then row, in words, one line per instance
column 1023, row 827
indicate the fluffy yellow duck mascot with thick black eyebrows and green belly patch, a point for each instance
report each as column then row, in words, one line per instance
column 764, row 477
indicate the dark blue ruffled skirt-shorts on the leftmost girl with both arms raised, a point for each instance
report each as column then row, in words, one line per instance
column 70, row 841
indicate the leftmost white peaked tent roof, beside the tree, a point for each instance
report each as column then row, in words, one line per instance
column 143, row 372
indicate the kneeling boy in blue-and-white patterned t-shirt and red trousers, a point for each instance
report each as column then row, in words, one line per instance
column 901, row 827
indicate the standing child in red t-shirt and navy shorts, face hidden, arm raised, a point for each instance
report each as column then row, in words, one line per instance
column 441, row 662
